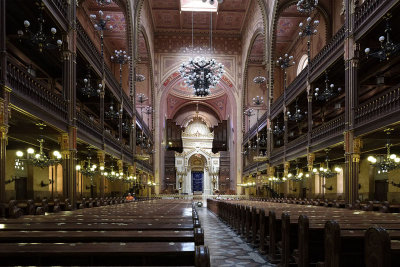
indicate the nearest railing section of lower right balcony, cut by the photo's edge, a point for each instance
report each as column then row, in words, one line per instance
column 378, row 106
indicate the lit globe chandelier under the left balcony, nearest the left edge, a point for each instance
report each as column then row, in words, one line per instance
column 39, row 159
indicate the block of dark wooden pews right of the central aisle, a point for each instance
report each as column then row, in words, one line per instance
column 302, row 234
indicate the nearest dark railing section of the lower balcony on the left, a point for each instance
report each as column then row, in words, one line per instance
column 26, row 86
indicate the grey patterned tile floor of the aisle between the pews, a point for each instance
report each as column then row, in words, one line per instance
column 226, row 247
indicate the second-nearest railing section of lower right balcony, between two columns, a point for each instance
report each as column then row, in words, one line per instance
column 328, row 130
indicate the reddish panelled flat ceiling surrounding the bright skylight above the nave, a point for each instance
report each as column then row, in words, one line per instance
column 167, row 15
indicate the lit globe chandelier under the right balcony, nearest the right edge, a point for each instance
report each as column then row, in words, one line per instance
column 388, row 162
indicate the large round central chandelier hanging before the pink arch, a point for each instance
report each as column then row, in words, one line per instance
column 201, row 74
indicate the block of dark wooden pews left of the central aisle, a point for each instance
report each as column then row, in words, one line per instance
column 150, row 232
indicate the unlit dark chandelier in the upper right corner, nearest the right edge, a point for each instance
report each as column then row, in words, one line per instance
column 388, row 48
